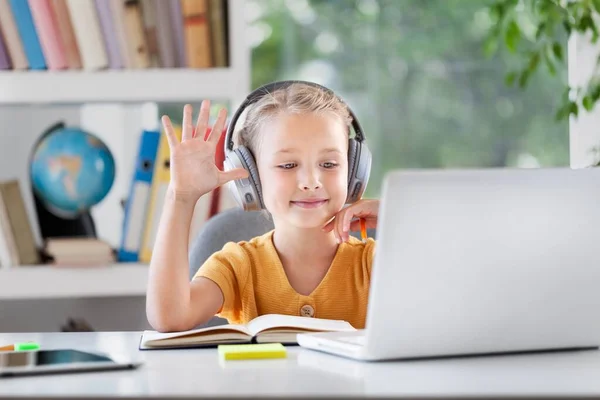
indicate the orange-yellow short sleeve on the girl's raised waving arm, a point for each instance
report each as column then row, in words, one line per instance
column 228, row 268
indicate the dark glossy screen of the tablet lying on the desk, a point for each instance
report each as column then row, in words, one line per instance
column 48, row 357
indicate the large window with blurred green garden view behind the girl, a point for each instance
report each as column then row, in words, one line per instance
column 415, row 74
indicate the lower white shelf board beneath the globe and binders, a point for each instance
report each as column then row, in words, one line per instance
column 50, row 282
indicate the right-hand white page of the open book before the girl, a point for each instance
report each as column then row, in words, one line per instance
column 296, row 323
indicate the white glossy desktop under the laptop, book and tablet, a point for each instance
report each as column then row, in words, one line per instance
column 199, row 373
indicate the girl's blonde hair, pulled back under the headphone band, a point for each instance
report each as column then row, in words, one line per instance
column 297, row 98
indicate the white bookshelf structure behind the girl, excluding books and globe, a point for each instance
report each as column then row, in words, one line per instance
column 101, row 101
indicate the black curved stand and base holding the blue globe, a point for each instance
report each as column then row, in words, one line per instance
column 52, row 225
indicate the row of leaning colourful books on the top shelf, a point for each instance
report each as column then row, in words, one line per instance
column 113, row 34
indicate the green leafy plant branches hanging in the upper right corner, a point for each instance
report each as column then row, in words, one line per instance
column 536, row 30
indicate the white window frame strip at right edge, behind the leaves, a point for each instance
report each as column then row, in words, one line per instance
column 584, row 131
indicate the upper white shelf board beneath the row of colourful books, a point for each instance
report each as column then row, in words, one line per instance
column 140, row 85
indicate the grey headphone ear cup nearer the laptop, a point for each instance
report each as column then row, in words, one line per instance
column 359, row 169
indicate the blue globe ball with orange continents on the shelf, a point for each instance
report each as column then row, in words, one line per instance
column 71, row 171
